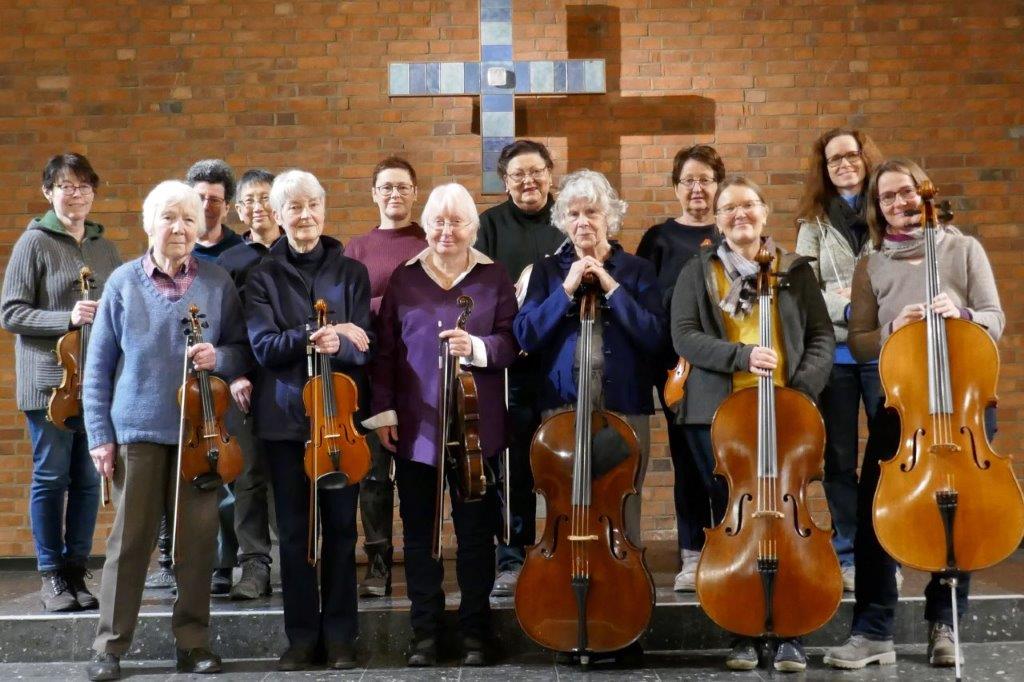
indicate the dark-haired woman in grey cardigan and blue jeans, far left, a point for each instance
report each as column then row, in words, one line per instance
column 42, row 303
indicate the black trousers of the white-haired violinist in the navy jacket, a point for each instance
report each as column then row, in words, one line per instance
column 325, row 615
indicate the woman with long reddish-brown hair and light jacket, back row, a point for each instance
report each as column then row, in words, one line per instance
column 833, row 231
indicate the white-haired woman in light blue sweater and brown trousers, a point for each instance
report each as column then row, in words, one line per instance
column 133, row 376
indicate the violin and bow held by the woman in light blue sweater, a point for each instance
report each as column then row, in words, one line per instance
column 208, row 456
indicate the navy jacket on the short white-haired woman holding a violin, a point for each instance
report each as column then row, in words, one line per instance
column 278, row 307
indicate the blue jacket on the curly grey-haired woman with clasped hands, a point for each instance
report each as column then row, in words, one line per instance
column 634, row 331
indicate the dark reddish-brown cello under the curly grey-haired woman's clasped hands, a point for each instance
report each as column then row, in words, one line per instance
column 585, row 588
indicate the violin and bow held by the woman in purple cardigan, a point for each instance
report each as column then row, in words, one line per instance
column 458, row 431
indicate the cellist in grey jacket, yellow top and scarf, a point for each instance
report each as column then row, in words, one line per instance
column 715, row 325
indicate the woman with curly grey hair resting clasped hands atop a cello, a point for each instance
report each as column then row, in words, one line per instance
column 631, row 329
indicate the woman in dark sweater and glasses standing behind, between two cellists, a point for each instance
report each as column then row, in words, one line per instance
column 696, row 175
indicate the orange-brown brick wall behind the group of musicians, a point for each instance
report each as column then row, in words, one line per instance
column 144, row 89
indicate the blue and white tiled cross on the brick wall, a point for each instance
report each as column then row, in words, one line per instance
column 498, row 79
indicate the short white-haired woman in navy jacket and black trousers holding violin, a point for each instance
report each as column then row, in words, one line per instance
column 320, row 611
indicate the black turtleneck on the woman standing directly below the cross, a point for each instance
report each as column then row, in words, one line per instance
column 517, row 239
